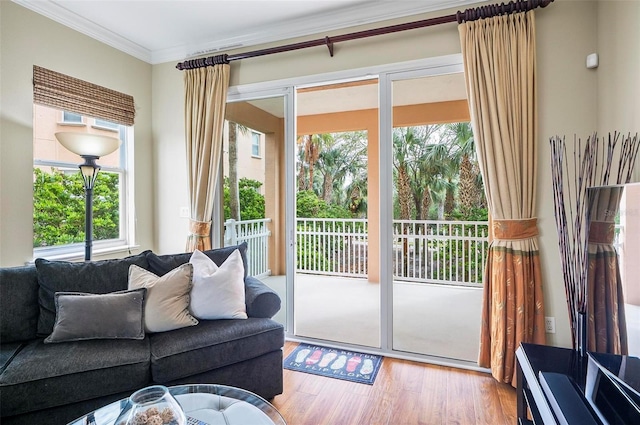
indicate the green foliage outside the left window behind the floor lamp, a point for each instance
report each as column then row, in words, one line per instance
column 59, row 207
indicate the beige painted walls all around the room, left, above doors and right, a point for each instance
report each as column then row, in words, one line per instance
column 572, row 100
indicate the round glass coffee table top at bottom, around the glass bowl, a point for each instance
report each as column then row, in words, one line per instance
column 204, row 404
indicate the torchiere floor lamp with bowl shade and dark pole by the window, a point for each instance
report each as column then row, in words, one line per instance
column 90, row 147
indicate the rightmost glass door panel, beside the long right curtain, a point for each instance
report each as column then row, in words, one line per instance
column 437, row 254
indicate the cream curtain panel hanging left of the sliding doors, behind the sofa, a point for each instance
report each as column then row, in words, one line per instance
column 205, row 104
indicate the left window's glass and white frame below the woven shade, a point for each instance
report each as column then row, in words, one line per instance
column 58, row 192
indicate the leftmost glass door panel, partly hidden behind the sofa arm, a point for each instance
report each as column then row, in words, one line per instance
column 254, row 188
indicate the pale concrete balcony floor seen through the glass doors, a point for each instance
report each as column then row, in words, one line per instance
column 436, row 320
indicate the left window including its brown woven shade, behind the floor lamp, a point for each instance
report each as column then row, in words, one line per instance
column 58, row 195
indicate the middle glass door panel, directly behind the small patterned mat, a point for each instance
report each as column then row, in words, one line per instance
column 337, row 284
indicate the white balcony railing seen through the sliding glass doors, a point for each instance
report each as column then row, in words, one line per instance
column 447, row 252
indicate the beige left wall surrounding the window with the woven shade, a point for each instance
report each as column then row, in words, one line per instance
column 28, row 39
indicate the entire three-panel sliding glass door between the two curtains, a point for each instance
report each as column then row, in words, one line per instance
column 375, row 236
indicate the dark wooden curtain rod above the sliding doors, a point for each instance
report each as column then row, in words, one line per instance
column 460, row 17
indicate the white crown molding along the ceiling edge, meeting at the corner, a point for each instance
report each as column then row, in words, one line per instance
column 355, row 15
